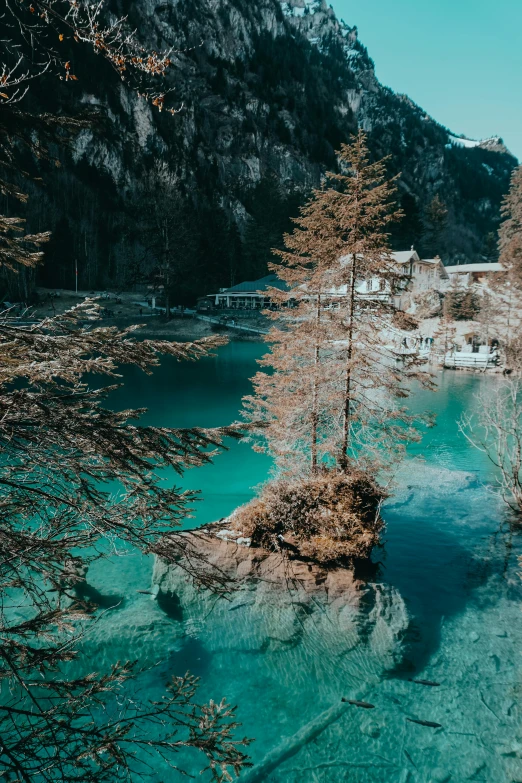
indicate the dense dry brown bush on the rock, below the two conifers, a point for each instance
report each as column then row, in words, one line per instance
column 327, row 517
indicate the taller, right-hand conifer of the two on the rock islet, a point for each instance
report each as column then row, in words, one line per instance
column 374, row 426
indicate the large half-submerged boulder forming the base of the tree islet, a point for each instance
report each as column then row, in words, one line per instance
column 282, row 602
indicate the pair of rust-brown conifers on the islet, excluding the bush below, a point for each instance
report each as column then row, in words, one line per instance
column 333, row 398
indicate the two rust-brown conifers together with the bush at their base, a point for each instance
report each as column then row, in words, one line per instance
column 331, row 410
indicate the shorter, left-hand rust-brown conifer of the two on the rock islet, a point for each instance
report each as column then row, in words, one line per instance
column 291, row 401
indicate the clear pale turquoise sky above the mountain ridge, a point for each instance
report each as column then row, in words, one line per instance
column 460, row 60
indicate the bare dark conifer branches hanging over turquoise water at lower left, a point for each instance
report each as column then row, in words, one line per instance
column 63, row 453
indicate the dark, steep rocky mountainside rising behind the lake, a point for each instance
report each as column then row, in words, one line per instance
column 266, row 91
